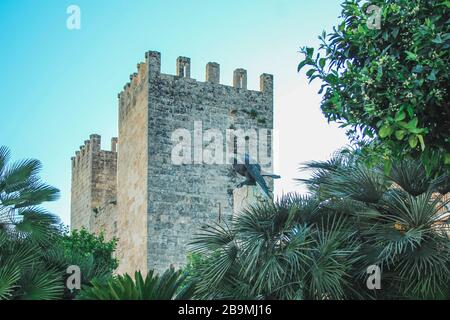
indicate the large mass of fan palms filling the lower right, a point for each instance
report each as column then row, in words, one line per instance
column 320, row 246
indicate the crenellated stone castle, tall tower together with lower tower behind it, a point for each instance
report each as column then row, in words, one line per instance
column 150, row 203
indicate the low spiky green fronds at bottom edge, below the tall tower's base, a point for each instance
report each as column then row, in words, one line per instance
column 168, row 286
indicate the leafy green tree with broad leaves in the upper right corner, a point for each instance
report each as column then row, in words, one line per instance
column 389, row 86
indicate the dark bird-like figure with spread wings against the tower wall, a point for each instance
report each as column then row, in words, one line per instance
column 253, row 174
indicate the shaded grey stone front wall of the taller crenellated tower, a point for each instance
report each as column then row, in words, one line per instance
column 184, row 197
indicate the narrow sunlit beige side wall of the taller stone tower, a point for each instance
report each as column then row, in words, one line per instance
column 132, row 174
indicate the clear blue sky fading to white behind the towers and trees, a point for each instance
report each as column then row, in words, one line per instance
column 57, row 86
